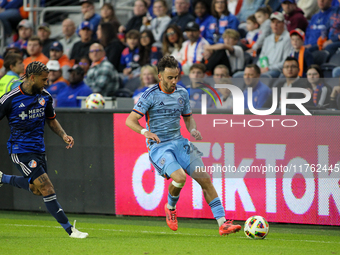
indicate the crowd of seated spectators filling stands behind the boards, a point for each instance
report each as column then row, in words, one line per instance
column 213, row 41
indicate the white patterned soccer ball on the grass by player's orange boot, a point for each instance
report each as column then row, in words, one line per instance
column 256, row 227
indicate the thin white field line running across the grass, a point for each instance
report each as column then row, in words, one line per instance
column 164, row 233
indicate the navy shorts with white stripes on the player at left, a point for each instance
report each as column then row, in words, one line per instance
column 31, row 165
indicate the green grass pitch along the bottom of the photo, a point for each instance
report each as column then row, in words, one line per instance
column 39, row 233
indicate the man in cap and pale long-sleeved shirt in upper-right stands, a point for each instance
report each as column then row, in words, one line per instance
column 276, row 47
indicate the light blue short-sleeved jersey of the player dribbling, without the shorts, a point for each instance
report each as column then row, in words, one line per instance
column 163, row 111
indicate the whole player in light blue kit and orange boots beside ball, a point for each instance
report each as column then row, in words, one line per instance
column 172, row 155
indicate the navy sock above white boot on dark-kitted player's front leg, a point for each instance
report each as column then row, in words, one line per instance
column 57, row 212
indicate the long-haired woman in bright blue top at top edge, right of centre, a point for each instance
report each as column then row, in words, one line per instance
column 222, row 20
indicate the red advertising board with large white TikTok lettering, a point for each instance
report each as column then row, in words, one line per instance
column 285, row 168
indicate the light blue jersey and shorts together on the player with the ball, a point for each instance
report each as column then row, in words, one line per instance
column 163, row 112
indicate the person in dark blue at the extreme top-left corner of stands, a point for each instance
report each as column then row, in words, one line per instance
column 11, row 12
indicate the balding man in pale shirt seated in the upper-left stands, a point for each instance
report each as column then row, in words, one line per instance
column 70, row 36
